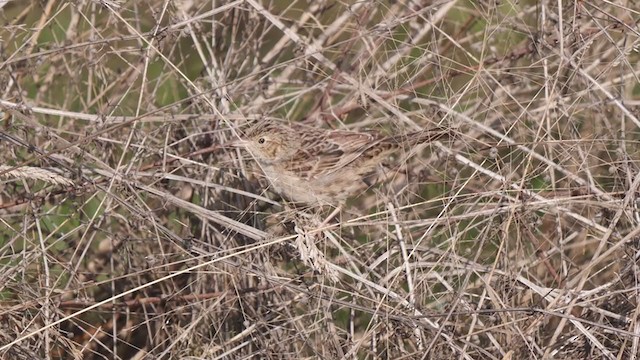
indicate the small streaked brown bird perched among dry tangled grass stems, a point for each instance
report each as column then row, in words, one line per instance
column 314, row 166
